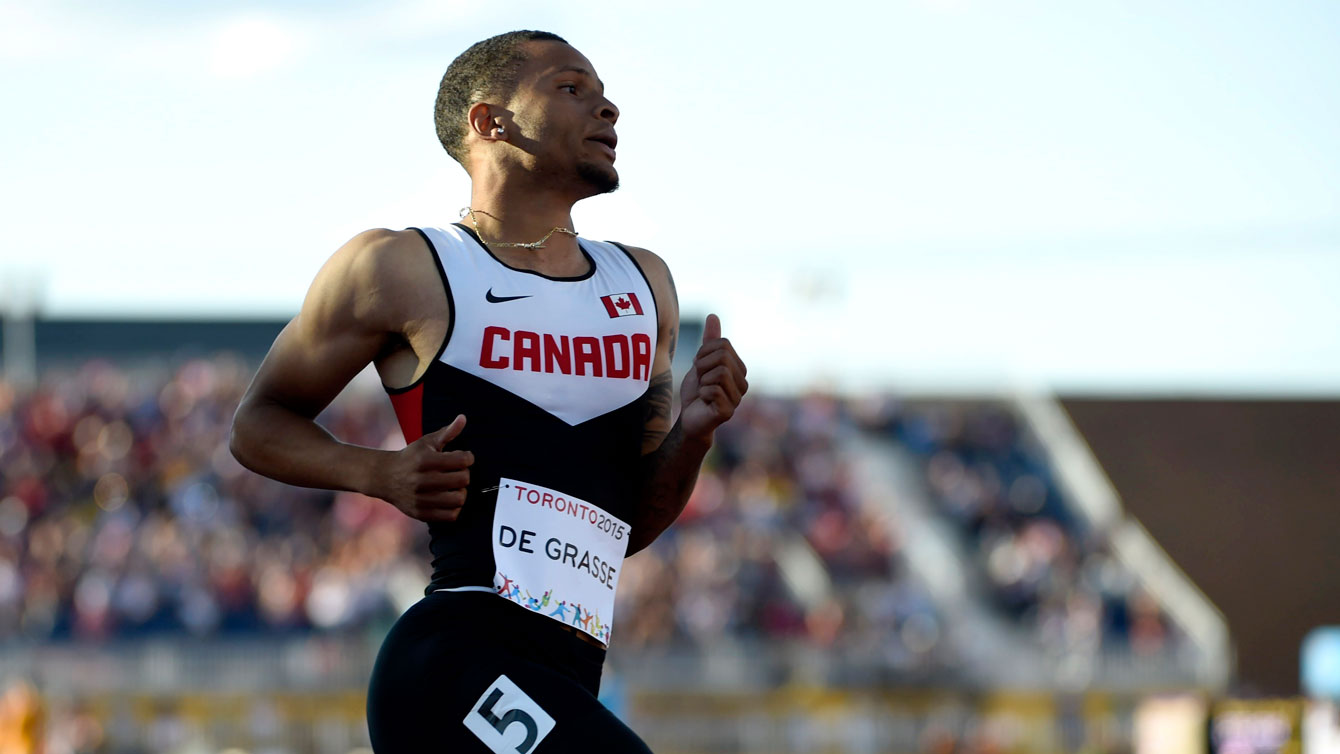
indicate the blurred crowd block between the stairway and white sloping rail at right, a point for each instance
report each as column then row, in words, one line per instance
column 1042, row 564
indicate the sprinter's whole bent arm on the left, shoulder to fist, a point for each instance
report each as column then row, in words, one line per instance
column 349, row 318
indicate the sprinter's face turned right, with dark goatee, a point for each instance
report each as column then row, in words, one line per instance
column 566, row 123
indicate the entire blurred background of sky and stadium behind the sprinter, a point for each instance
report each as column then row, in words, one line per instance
column 1042, row 452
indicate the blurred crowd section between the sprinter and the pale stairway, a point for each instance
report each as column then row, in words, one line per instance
column 778, row 542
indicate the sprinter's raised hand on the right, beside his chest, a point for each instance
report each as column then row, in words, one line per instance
column 714, row 386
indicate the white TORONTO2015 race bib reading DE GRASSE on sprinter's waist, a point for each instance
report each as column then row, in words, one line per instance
column 558, row 556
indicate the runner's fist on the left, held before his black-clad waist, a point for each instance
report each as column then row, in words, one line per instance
column 424, row 481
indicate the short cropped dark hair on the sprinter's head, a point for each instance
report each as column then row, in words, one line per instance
column 488, row 69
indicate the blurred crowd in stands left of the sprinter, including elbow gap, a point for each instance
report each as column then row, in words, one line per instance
column 124, row 514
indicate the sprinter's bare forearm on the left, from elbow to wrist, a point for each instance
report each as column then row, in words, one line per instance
column 293, row 449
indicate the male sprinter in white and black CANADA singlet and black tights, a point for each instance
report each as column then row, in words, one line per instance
column 530, row 372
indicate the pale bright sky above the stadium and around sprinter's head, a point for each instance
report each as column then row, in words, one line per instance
column 919, row 195
